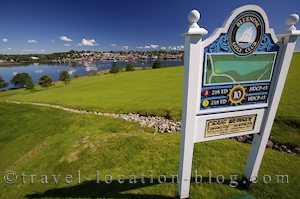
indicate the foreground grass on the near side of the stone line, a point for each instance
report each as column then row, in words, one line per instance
column 72, row 141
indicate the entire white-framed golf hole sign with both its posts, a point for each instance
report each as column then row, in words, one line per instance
column 233, row 81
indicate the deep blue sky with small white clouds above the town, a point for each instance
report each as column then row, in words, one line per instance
column 34, row 26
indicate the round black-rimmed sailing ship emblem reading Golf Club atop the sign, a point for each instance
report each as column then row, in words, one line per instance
column 245, row 34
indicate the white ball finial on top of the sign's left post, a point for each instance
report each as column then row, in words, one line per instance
column 194, row 28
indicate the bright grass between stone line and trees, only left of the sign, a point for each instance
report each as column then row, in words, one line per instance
column 147, row 92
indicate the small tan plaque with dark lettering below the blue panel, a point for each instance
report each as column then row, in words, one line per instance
column 221, row 126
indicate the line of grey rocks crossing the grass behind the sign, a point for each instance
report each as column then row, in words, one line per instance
column 161, row 124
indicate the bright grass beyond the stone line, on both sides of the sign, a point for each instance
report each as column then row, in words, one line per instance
column 155, row 92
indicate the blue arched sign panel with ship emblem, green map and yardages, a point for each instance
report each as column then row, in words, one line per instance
column 239, row 64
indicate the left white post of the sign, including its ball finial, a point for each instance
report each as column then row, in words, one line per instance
column 193, row 45
